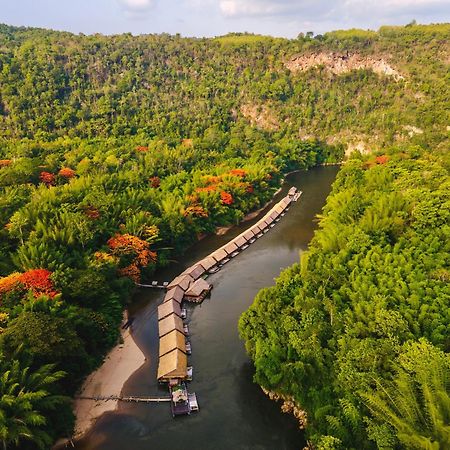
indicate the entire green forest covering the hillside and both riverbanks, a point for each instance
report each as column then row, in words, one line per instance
column 117, row 153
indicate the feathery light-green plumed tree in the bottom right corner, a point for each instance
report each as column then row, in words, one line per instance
column 416, row 403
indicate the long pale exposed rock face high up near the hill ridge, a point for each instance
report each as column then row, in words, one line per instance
column 339, row 63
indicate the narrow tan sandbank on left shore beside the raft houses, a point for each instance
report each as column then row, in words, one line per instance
column 120, row 363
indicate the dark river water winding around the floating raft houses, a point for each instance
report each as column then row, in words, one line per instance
column 234, row 412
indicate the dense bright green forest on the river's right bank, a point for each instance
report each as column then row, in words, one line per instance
column 357, row 332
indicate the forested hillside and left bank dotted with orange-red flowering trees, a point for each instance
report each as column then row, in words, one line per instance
column 117, row 153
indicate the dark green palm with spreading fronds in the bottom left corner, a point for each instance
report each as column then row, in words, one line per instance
column 24, row 400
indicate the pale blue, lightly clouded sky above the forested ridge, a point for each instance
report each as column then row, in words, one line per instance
column 199, row 18
